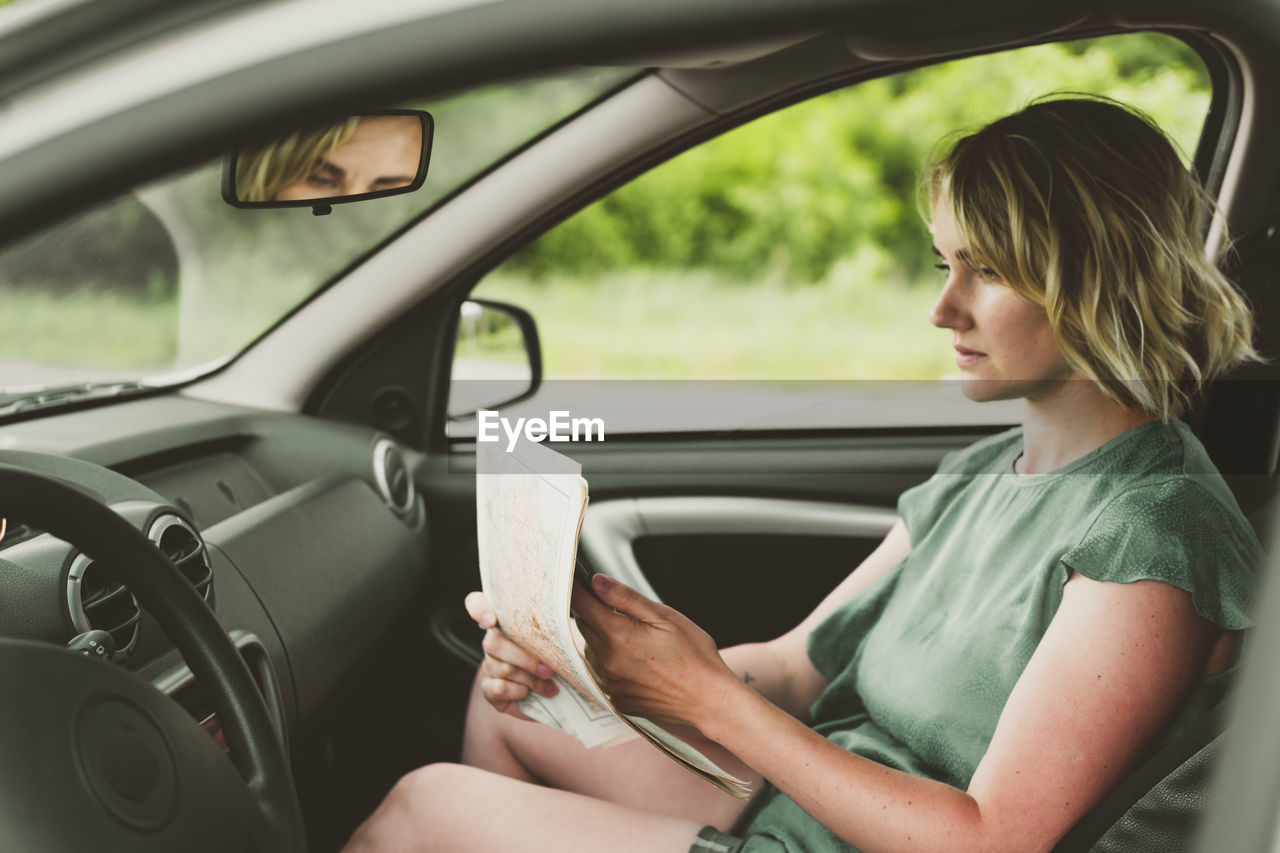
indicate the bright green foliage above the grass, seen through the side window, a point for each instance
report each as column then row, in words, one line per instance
column 789, row 195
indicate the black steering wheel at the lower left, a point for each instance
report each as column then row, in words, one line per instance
column 98, row 759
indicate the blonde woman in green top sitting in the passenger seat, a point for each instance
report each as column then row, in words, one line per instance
column 1018, row 642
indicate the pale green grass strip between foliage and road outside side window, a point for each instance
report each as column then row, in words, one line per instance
column 697, row 326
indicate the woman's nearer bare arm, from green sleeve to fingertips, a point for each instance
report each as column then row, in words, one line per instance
column 1112, row 669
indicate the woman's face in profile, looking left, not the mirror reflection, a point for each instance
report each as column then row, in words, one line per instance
column 1004, row 344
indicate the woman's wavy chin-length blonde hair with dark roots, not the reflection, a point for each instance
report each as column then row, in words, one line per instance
column 1084, row 207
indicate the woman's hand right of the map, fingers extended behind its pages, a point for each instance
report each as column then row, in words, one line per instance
column 651, row 659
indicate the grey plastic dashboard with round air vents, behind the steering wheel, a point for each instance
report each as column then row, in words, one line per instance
column 307, row 537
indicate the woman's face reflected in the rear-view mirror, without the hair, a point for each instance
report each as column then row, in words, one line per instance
column 382, row 154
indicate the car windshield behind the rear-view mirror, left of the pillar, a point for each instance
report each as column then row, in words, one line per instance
column 170, row 280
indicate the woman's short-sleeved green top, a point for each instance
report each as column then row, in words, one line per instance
column 924, row 662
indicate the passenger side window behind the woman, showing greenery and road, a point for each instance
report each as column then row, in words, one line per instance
column 785, row 267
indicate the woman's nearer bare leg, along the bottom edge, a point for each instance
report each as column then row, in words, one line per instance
column 447, row 809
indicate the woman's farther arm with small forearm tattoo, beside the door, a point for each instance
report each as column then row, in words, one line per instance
column 780, row 670
